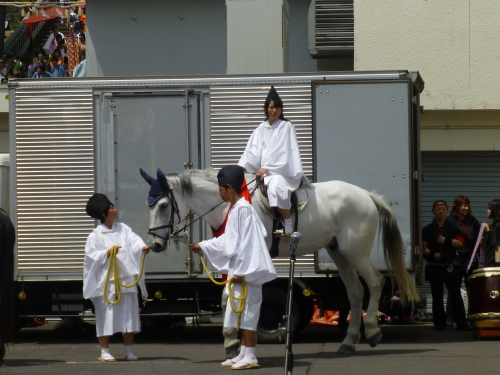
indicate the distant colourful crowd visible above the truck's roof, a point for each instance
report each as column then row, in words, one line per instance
column 60, row 57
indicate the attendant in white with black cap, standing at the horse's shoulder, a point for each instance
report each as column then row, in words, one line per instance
column 241, row 252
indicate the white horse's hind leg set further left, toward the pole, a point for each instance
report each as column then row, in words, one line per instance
column 355, row 293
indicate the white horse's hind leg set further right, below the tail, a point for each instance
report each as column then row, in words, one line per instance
column 375, row 282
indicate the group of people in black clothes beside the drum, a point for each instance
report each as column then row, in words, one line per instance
column 453, row 250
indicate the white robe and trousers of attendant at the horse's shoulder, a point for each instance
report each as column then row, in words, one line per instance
column 242, row 251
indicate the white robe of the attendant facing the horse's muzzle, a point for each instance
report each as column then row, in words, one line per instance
column 124, row 316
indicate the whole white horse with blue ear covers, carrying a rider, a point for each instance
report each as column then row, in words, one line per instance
column 339, row 216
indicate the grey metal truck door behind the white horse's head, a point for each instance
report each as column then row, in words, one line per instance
column 149, row 130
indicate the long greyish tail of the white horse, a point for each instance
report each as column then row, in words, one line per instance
column 394, row 252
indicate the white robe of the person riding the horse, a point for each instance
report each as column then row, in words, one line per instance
column 275, row 148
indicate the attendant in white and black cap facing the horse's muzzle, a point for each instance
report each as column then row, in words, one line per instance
column 124, row 316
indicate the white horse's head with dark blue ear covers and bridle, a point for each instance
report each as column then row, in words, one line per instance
column 162, row 210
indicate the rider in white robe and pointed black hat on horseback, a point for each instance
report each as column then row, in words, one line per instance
column 272, row 153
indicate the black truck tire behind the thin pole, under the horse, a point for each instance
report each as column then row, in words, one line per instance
column 271, row 315
